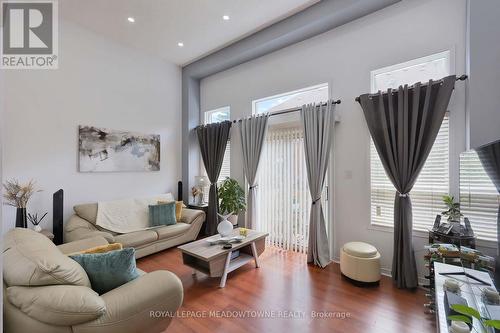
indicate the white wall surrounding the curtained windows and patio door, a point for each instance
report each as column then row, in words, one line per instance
column 344, row 58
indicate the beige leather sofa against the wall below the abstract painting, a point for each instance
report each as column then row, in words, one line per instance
column 83, row 225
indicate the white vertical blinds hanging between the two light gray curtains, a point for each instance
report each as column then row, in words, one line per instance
column 283, row 200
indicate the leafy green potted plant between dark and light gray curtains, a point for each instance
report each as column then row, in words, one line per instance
column 232, row 199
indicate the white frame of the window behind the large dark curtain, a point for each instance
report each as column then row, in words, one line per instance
column 453, row 183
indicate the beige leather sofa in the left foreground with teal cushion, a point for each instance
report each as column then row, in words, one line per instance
column 47, row 292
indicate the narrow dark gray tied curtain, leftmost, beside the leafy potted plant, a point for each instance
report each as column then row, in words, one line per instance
column 213, row 140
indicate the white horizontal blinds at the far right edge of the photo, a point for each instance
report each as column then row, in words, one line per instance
column 479, row 198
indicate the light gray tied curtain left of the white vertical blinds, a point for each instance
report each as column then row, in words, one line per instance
column 253, row 132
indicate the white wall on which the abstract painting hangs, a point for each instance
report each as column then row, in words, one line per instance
column 98, row 83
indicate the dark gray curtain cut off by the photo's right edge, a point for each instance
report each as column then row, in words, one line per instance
column 490, row 159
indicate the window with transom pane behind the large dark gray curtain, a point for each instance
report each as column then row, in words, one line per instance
column 433, row 181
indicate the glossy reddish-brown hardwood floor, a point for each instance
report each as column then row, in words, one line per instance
column 285, row 283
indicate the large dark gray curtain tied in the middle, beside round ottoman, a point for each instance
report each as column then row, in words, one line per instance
column 404, row 124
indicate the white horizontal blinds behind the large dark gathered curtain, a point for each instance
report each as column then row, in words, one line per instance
column 427, row 194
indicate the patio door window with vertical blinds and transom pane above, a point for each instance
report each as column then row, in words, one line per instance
column 283, row 200
